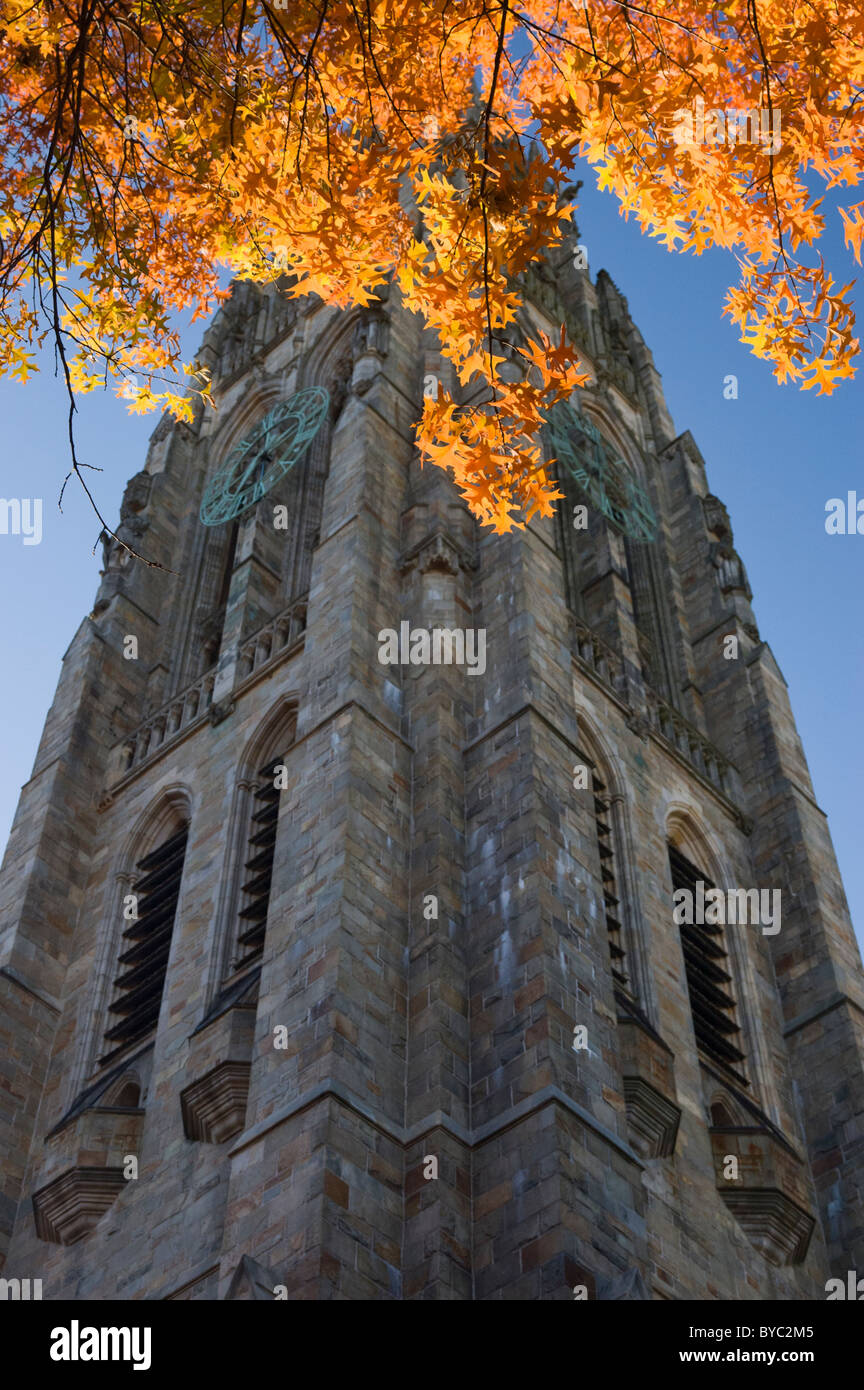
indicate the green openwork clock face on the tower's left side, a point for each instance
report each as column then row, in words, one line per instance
column 256, row 464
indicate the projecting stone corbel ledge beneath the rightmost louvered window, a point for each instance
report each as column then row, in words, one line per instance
column 769, row 1199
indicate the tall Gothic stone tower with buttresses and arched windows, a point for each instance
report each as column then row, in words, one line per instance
column 362, row 979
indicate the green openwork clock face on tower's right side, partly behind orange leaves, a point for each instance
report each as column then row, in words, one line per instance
column 604, row 477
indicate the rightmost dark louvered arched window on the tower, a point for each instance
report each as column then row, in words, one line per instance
column 706, row 967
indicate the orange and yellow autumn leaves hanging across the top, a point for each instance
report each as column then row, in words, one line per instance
column 149, row 147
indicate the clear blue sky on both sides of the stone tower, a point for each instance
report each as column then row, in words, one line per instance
column 776, row 457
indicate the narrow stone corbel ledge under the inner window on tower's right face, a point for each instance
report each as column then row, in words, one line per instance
column 649, row 1089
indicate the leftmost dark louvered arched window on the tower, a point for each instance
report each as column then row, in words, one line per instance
column 147, row 945
